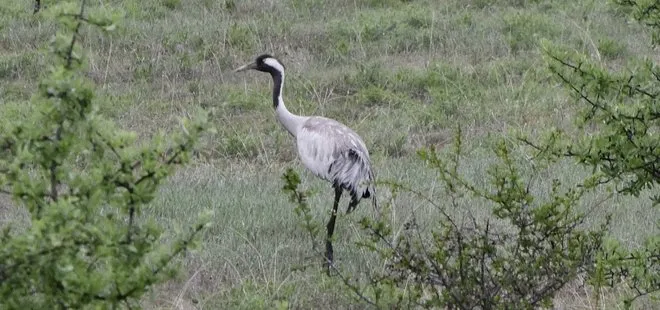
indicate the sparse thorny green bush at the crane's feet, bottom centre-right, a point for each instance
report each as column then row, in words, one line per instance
column 519, row 257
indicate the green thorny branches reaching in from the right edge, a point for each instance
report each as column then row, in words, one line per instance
column 621, row 109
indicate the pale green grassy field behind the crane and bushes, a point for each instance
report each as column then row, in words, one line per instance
column 403, row 74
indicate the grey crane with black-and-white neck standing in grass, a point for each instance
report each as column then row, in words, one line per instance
column 329, row 149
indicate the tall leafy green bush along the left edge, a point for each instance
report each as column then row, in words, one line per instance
column 84, row 183
